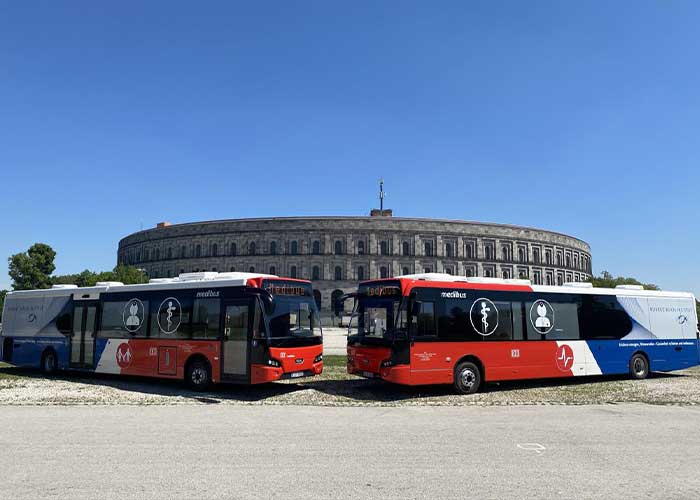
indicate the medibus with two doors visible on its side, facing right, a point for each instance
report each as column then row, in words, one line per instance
column 200, row 327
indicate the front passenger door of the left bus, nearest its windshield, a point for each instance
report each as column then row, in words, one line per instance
column 237, row 330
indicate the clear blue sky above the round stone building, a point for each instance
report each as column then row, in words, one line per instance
column 578, row 117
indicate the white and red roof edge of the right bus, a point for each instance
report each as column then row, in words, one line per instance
column 439, row 280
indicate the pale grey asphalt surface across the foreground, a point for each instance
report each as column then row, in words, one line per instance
column 216, row 451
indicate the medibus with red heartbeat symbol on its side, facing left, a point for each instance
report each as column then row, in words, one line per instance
column 441, row 329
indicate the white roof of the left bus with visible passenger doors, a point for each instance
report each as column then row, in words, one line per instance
column 183, row 281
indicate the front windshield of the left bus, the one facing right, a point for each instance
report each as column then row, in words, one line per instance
column 294, row 317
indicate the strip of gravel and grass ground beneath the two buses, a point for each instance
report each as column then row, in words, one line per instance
column 336, row 388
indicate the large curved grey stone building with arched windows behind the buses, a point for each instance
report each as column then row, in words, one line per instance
column 337, row 252
